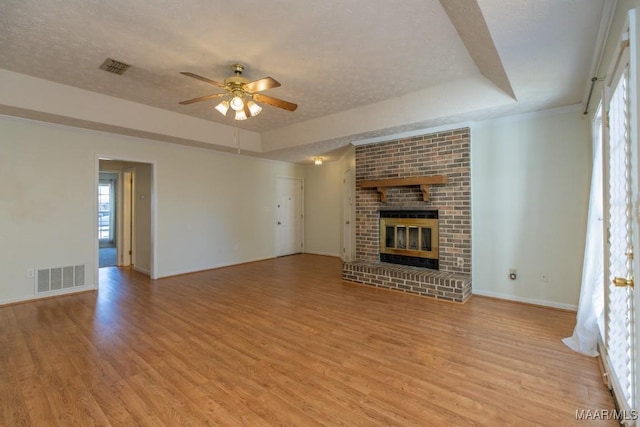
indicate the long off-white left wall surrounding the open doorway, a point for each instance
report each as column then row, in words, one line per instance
column 213, row 209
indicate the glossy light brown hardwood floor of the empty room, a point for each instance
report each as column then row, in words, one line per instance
column 286, row 342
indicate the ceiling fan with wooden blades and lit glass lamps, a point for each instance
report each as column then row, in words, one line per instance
column 237, row 90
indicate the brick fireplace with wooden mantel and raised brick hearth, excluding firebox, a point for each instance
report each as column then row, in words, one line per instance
column 420, row 158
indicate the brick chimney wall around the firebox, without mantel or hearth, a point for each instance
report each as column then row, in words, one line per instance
column 443, row 153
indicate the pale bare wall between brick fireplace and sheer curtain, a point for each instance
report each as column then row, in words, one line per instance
column 530, row 185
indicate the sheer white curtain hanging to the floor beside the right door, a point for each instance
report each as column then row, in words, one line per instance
column 591, row 305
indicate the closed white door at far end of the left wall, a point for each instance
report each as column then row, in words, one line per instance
column 289, row 216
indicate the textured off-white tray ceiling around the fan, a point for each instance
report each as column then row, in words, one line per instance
column 330, row 57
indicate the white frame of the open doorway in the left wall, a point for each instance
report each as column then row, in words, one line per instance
column 153, row 205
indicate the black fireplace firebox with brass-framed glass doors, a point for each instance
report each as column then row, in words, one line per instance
column 409, row 238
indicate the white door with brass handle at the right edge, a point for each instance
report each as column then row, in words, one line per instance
column 622, row 213
